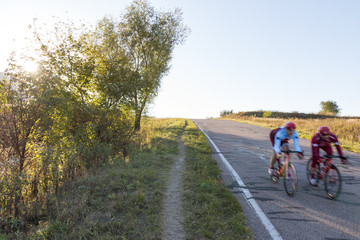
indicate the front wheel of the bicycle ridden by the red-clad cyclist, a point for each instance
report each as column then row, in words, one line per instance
column 333, row 182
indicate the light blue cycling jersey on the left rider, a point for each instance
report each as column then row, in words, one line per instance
column 279, row 136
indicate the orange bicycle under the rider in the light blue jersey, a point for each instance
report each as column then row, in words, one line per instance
column 288, row 172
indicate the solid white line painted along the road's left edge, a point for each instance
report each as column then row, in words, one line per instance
column 246, row 193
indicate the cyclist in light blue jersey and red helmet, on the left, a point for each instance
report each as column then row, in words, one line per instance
column 279, row 138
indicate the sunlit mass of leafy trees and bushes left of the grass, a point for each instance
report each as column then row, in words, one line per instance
column 84, row 104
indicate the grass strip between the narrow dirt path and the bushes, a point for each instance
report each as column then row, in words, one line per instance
column 122, row 199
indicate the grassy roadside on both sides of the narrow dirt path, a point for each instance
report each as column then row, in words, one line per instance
column 124, row 199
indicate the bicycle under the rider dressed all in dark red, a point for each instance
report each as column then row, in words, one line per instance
column 328, row 172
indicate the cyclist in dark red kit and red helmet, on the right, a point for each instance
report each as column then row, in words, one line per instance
column 323, row 139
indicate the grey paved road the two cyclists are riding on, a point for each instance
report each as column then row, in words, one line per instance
column 307, row 215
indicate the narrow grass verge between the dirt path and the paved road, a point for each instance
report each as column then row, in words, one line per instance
column 211, row 210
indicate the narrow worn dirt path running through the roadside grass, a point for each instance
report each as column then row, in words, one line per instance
column 173, row 217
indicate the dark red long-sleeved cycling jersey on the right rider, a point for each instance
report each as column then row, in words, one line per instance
column 317, row 142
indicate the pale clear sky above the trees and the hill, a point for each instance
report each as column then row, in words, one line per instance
column 241, row 55
